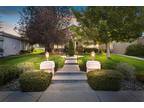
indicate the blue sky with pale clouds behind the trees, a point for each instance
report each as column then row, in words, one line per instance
column 9, row 15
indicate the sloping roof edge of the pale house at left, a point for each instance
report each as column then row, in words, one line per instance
column 4, row 34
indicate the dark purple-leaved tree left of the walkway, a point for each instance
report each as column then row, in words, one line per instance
column 45, row 25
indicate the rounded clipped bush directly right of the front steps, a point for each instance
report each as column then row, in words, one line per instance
column 104, row 80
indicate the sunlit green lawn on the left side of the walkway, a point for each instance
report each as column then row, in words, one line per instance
column 35, row 58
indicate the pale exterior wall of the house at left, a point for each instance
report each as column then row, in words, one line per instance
column 11, row 46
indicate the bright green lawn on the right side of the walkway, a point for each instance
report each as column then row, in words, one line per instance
column 111, row 63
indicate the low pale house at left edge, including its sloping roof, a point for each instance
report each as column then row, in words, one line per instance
column 11, row 44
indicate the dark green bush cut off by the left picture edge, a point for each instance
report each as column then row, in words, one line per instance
column 8, row 73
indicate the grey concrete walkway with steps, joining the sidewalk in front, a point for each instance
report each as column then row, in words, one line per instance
column 69, row 85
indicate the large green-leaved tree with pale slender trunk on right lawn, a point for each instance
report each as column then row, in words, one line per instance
column 107, row 24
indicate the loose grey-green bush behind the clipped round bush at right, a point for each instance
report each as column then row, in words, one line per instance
column 127, row 70
